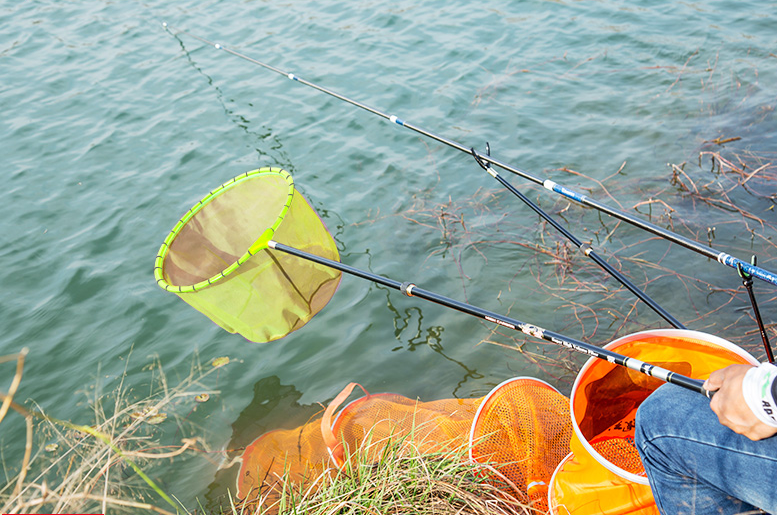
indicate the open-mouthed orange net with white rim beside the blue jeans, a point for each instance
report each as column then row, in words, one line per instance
column 603, row 474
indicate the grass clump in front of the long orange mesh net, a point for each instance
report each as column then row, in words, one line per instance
column 394, row 478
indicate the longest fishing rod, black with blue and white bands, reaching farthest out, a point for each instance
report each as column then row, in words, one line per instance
column 720, row 257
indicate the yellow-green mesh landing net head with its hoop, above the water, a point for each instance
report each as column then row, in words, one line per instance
column 216, row 258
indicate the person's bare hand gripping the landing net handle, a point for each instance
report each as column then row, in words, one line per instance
column 730, row 406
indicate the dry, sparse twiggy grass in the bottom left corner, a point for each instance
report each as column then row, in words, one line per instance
column 106, row 466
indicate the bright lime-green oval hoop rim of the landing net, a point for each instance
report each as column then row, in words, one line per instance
column 259, row 244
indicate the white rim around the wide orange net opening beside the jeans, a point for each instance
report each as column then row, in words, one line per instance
column 688, row 333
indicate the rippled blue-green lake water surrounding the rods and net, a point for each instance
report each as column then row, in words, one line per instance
column 112, row 128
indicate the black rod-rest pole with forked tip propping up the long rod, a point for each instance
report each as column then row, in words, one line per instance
column 585, row 248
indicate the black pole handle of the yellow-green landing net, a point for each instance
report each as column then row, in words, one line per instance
column 411, row 290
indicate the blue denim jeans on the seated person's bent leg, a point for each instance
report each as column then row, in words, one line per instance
column 697, row 466
